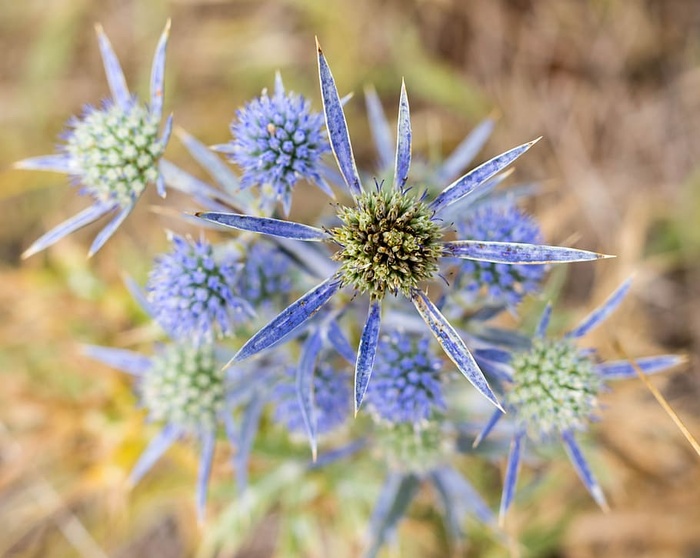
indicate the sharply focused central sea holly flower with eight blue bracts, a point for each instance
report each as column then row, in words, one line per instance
column 389, row 242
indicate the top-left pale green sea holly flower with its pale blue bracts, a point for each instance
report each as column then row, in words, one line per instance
column 112, row 152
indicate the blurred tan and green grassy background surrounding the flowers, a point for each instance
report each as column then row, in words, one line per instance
column 612, row 86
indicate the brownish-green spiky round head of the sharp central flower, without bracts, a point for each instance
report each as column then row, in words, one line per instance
column 388, row 242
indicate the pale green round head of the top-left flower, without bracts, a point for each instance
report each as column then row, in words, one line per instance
column 115, row 151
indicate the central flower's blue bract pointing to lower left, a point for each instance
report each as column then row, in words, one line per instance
column 289, row 319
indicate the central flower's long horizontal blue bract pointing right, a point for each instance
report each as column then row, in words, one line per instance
column 517, row 253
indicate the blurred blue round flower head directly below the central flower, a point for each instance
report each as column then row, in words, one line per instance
column 405, row 383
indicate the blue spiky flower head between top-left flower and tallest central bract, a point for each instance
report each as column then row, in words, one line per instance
column 278, row 140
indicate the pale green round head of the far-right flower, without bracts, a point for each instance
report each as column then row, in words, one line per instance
column 555, row 387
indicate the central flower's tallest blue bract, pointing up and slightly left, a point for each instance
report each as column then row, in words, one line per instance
column 337, row 126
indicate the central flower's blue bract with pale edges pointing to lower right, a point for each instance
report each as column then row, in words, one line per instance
column 452, row 344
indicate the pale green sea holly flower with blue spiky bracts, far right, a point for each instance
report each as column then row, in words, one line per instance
column 554, row 393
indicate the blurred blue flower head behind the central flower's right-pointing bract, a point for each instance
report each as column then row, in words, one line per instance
column 503, row 283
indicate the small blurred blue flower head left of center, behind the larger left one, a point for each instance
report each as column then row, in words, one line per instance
column 265, row 275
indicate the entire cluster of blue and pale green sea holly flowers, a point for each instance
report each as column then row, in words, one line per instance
column 292, row 300
